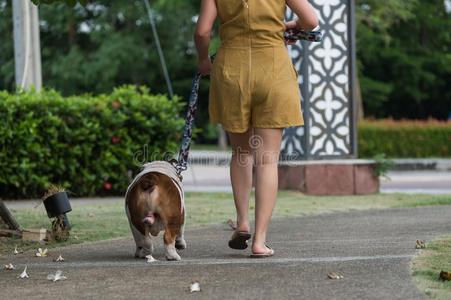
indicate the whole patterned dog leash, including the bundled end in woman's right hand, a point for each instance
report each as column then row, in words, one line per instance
column 181, row 163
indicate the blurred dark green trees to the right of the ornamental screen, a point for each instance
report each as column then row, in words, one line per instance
column 403, row 48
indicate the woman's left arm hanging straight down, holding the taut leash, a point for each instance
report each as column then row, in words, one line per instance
column 207, row 17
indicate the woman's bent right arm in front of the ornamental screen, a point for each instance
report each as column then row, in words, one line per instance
column 306, row 14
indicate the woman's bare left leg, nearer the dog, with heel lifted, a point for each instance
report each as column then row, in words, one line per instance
column 241, row 176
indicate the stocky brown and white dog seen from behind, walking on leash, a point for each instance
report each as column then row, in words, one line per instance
column 154, row 202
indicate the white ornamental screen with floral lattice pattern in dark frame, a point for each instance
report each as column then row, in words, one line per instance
column 326, row 78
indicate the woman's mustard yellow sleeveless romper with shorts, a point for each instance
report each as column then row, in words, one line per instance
column 253, row 81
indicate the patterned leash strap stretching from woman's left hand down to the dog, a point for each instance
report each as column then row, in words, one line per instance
column 182, row 161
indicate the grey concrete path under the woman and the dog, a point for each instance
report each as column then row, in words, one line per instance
column 371, row 249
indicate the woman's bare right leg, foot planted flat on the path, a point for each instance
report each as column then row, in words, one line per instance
column 266, row 145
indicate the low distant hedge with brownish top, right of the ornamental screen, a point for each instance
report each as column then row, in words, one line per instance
column 404, row 139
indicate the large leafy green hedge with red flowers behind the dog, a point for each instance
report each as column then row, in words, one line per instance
column 86, row 144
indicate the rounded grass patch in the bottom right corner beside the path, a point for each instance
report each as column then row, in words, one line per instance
column 427, row 266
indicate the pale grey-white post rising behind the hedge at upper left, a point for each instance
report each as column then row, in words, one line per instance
column 27, row 52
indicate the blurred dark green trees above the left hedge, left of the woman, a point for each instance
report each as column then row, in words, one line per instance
column 93, row 48
